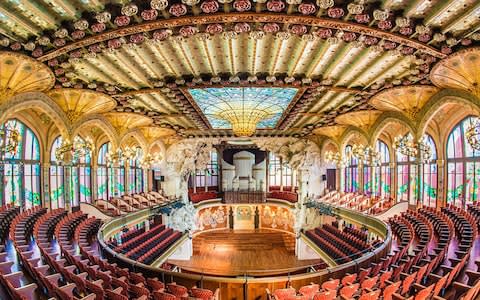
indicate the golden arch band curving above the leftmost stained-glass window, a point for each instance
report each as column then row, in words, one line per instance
column 40, row 101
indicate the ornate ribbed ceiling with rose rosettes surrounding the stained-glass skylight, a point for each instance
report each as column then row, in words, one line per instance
column 149, row 55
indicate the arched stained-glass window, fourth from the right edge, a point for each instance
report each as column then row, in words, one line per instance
column 383, row 177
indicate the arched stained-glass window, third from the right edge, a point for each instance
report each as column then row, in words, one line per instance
column 406, row 178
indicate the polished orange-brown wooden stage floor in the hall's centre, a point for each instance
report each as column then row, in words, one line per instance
column 236, row 252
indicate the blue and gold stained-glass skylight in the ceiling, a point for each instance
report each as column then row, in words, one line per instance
column 224, row 107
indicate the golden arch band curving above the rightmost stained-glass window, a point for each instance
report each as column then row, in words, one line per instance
column 446, row 96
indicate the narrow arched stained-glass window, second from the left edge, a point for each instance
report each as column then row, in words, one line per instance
column 57, row 178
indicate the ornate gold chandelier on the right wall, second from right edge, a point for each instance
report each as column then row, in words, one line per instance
column 407, row 146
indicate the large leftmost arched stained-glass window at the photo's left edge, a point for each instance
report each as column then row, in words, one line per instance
column 20, row 173
